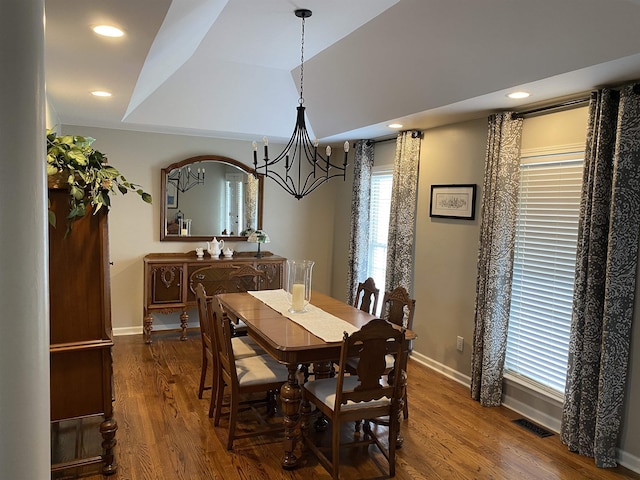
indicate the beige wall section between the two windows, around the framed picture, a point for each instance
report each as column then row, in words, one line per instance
column 447, row 249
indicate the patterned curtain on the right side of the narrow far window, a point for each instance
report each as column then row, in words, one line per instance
column 403, row 212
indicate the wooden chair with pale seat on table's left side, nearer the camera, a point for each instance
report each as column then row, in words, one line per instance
column 243, row 376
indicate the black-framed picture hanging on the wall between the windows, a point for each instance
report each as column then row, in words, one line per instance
column 453, row 201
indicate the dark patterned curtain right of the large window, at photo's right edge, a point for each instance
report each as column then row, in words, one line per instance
column 605, row 277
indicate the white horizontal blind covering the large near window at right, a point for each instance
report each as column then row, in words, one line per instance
column 544, row 267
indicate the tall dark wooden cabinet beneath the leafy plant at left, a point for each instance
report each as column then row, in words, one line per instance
column 80, row 338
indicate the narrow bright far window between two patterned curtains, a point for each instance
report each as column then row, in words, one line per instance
column 379, row 212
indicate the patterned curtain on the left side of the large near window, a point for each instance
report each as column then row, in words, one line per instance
column 495, row 257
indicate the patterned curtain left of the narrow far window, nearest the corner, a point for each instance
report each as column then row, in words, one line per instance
column 359, row 238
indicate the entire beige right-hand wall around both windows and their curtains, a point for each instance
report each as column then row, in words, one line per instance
column 446, row 259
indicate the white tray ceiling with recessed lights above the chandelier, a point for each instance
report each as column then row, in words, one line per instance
column 230, row 68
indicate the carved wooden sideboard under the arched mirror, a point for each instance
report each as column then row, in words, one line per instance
column 170, row 280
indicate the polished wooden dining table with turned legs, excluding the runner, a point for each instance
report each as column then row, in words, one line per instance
column 293, row 345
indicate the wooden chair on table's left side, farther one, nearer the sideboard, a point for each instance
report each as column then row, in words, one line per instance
column 242, row 346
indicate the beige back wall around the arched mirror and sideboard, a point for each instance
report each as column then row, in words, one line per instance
column 298, row 229
